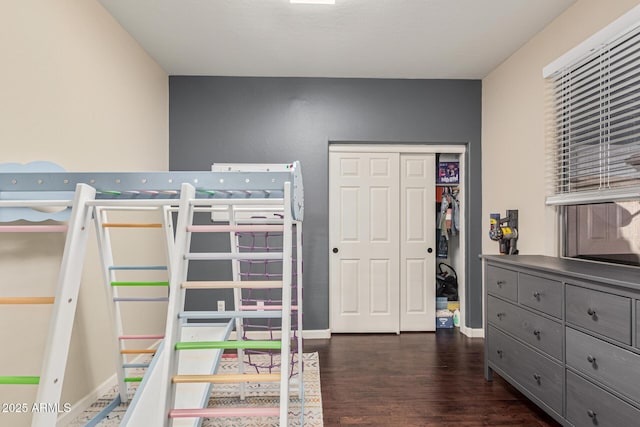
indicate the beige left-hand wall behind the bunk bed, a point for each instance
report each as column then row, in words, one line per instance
column 75, row 89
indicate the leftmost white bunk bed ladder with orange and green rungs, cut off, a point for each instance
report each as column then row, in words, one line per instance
column 64, row 302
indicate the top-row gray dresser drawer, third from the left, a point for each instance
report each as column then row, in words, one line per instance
column 600, row 312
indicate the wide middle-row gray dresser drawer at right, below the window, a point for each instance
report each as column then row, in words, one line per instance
column 611, row 365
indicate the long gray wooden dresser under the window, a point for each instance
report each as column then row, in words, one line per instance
column 566, row 333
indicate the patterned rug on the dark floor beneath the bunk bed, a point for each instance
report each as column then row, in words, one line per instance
column 257, row 395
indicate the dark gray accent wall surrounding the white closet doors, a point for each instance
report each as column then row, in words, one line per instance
column 278, row 120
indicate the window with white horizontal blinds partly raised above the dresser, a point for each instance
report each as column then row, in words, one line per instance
column 594, row 145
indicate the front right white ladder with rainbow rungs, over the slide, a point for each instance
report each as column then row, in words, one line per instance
column 177, row 407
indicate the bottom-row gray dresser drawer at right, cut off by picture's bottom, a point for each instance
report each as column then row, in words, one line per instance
column 587, row 405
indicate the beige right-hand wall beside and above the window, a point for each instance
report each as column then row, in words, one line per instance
column 513, row 145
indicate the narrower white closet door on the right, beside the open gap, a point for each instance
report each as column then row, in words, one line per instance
column 417, row 234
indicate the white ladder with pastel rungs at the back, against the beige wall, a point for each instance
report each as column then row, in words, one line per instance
column 115, row 217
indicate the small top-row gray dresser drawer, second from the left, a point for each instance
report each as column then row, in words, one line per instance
column 541, row 294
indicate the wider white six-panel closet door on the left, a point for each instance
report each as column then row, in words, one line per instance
column 364, row 242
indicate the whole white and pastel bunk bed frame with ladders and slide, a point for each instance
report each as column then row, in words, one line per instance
column 185, row 361
